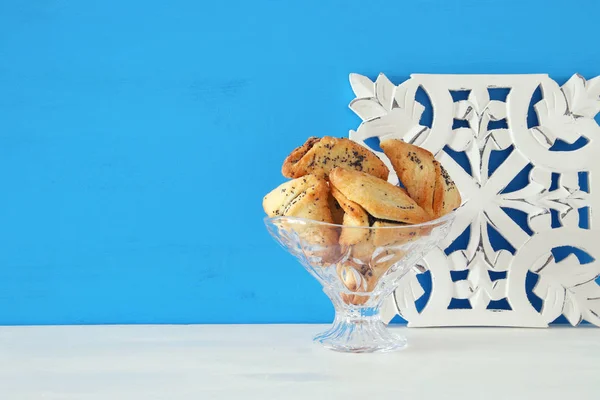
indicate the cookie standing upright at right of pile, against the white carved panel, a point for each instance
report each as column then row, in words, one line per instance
column 415, row 169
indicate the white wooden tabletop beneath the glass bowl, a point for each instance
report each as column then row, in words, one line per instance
column 280, row 362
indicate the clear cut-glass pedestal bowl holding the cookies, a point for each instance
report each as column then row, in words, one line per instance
column 358, row 275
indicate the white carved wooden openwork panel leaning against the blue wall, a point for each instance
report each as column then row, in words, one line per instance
column 565, row 113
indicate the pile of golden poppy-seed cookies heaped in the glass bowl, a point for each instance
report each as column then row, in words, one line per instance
column 338, row 181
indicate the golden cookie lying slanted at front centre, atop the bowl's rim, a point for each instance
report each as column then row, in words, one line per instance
column 379, row 198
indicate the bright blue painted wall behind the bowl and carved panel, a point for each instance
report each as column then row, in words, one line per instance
column 137, row 138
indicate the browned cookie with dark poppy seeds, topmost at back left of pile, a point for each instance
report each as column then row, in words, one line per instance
column 319, row 156
